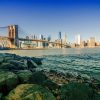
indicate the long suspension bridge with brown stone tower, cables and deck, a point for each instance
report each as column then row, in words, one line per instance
column 12, row 39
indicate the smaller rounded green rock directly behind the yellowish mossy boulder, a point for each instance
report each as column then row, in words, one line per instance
column 25, row 76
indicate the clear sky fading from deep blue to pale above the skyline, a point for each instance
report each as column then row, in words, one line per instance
column 48, row 17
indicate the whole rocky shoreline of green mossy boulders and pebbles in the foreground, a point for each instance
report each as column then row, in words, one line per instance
column 20, row 80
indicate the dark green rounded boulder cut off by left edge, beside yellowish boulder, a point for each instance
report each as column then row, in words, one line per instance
column 8, row 81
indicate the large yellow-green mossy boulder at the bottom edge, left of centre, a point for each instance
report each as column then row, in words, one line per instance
column 30, row 92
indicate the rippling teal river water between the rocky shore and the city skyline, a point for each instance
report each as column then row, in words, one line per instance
column 75, row 61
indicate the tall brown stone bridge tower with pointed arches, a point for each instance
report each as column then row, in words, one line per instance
column 13, row 35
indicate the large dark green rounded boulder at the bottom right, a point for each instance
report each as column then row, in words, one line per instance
column 77, row 91
